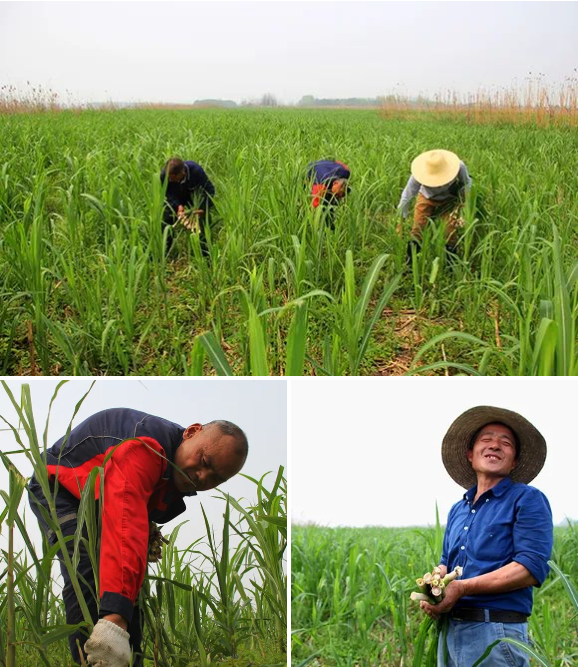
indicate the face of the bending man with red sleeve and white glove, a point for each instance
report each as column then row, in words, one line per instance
column 208, row 458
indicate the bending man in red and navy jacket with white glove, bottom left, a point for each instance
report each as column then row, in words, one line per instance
column 142, row 483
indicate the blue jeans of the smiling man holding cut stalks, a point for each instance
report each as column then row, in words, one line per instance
column 467, row 641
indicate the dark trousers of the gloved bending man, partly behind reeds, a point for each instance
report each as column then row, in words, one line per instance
column 67, row 511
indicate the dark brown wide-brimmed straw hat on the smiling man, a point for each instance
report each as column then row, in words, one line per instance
column 459, row 435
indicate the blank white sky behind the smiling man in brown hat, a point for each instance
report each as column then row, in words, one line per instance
column 367, row 451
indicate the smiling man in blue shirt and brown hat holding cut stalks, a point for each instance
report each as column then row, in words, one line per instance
column 500, row 533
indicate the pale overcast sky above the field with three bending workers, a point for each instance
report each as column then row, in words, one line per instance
column 183, row 51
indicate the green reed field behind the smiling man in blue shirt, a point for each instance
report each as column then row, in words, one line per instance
column 350, row 602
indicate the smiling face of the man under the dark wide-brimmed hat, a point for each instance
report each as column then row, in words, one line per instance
column 494, row 451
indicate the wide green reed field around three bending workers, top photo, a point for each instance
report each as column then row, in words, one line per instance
column 86, row 288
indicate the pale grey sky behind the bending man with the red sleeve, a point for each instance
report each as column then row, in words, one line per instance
column 259, row 407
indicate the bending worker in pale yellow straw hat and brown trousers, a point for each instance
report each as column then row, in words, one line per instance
column 440, row 180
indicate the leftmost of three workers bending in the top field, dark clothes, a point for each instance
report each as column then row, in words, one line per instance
column 188, row 197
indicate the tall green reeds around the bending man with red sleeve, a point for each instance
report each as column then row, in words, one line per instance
column 221, row 601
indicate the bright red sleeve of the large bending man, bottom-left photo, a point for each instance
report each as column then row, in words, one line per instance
column 130, row 478
